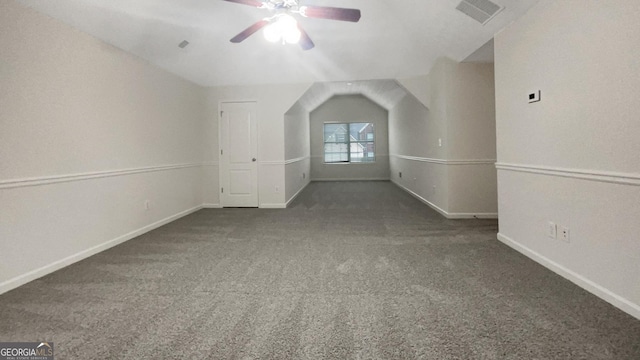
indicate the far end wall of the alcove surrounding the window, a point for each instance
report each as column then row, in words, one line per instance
column 349, row 108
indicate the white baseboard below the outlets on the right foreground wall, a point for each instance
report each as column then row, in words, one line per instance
column 592, row 287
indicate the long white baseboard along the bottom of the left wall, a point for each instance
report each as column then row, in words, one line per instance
column 57, row 265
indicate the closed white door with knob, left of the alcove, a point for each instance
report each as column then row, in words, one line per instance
column 238, row 155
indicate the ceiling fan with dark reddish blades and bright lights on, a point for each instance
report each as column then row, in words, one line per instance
column 282, row 26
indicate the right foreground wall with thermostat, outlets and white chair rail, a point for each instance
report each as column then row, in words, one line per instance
column 572, row 158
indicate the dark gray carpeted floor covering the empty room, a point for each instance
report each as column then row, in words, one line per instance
column 351, row 270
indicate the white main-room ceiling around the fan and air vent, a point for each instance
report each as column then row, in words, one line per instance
column 394, row 39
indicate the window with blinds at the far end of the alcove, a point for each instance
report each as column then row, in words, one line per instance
column 349, row 143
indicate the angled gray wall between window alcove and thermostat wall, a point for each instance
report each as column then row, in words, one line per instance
column 447, row 153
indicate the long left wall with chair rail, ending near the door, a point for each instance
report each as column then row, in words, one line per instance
column 89, row 135
